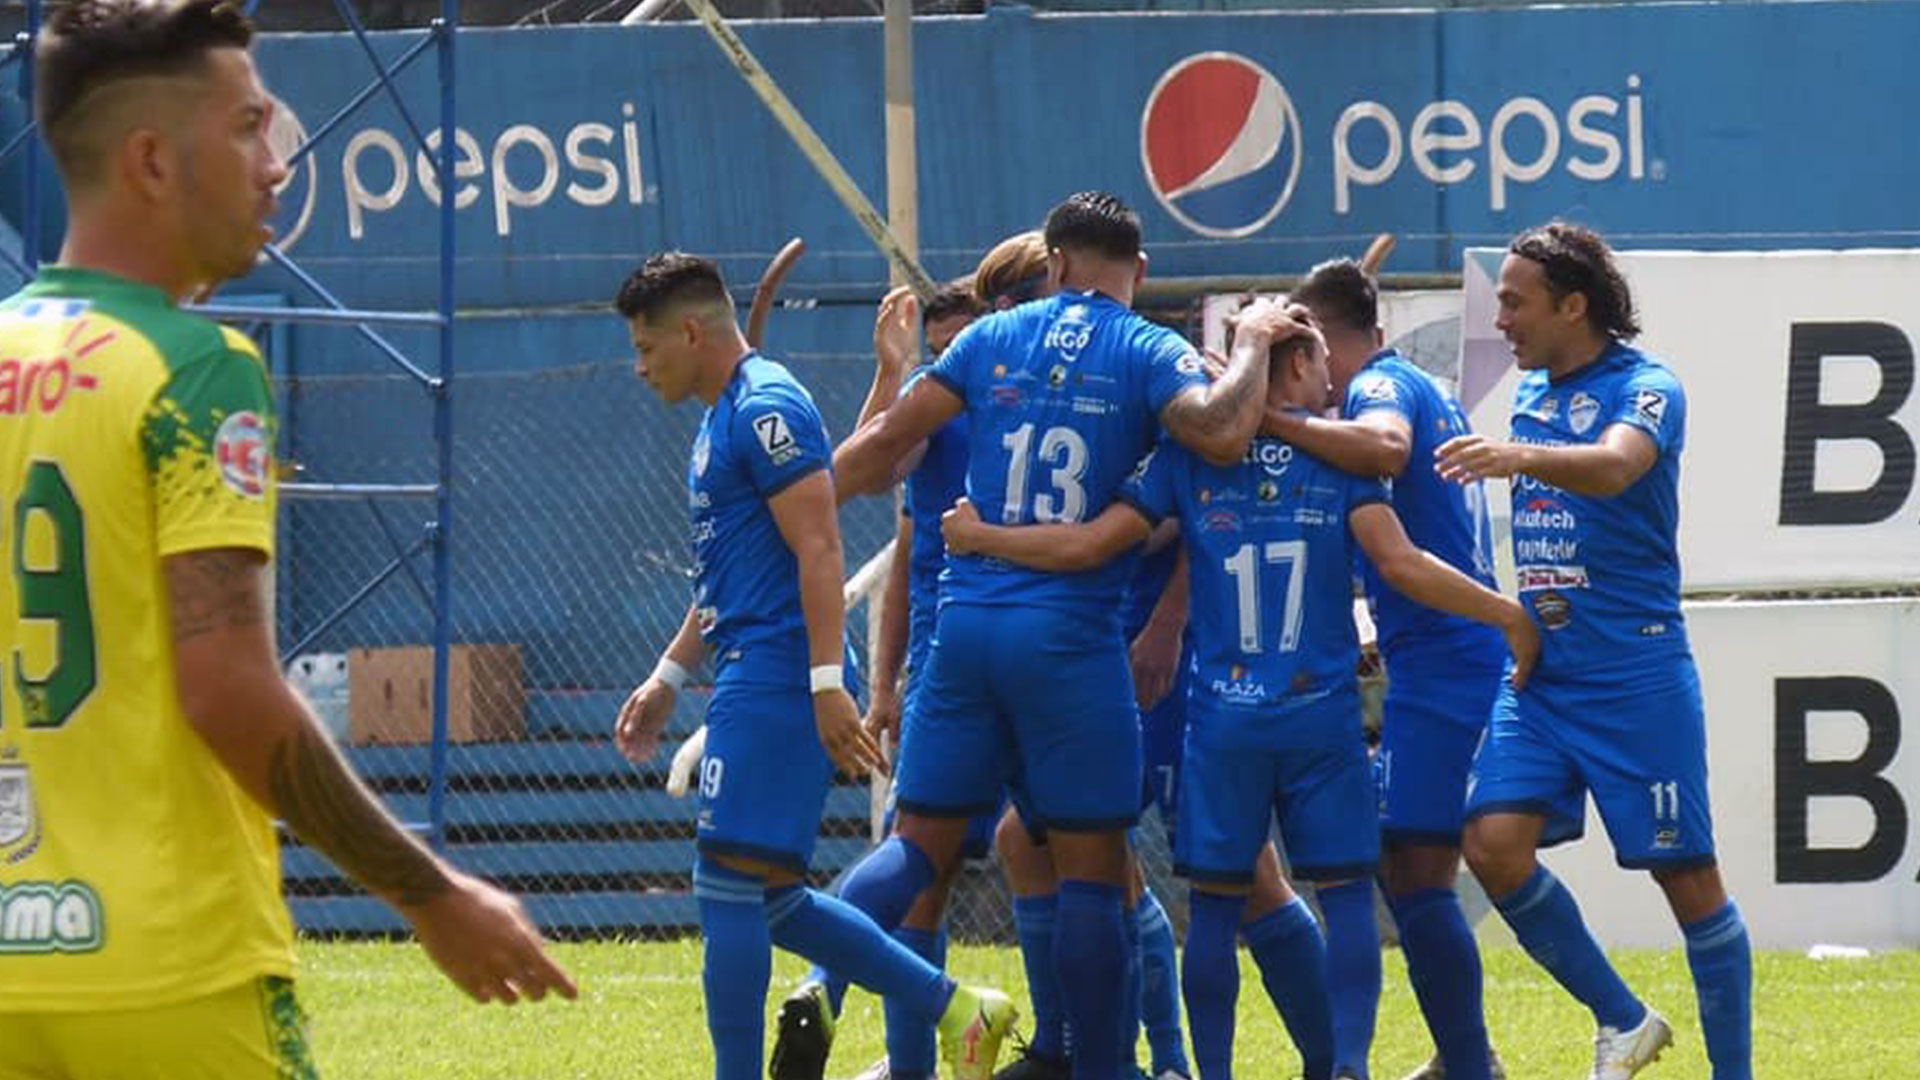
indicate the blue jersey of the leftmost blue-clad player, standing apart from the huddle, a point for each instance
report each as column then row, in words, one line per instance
column 761, row 437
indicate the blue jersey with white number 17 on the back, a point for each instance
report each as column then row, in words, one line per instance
column 1270, row 560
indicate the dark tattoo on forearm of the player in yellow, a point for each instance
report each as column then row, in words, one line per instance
column 329, row 810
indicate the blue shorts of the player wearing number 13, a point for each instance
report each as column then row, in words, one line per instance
column 1034, row 699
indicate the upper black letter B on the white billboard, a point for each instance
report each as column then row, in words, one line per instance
column 1810, row 424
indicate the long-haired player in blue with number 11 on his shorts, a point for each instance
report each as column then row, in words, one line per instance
column 1616, row 708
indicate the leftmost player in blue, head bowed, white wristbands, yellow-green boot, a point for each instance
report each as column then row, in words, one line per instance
column 767, row 602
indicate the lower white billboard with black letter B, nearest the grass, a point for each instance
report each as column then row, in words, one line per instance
column 1815, row 779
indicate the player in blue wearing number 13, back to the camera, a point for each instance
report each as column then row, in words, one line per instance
column 1028, row 675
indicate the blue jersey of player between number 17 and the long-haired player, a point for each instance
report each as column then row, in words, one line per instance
column 1443, row 518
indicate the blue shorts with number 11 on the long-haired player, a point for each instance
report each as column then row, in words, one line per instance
column 1639, row 747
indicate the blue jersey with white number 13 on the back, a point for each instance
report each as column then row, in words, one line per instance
column 1063, row 399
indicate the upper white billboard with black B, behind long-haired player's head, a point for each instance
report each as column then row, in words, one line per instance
column 1800, row 376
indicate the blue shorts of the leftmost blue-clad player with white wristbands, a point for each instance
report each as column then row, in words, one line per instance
column 765, row 775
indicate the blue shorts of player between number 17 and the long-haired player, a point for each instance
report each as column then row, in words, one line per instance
column 1433, row 725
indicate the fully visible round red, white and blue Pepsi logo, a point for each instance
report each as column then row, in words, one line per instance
column 1220, row 143
